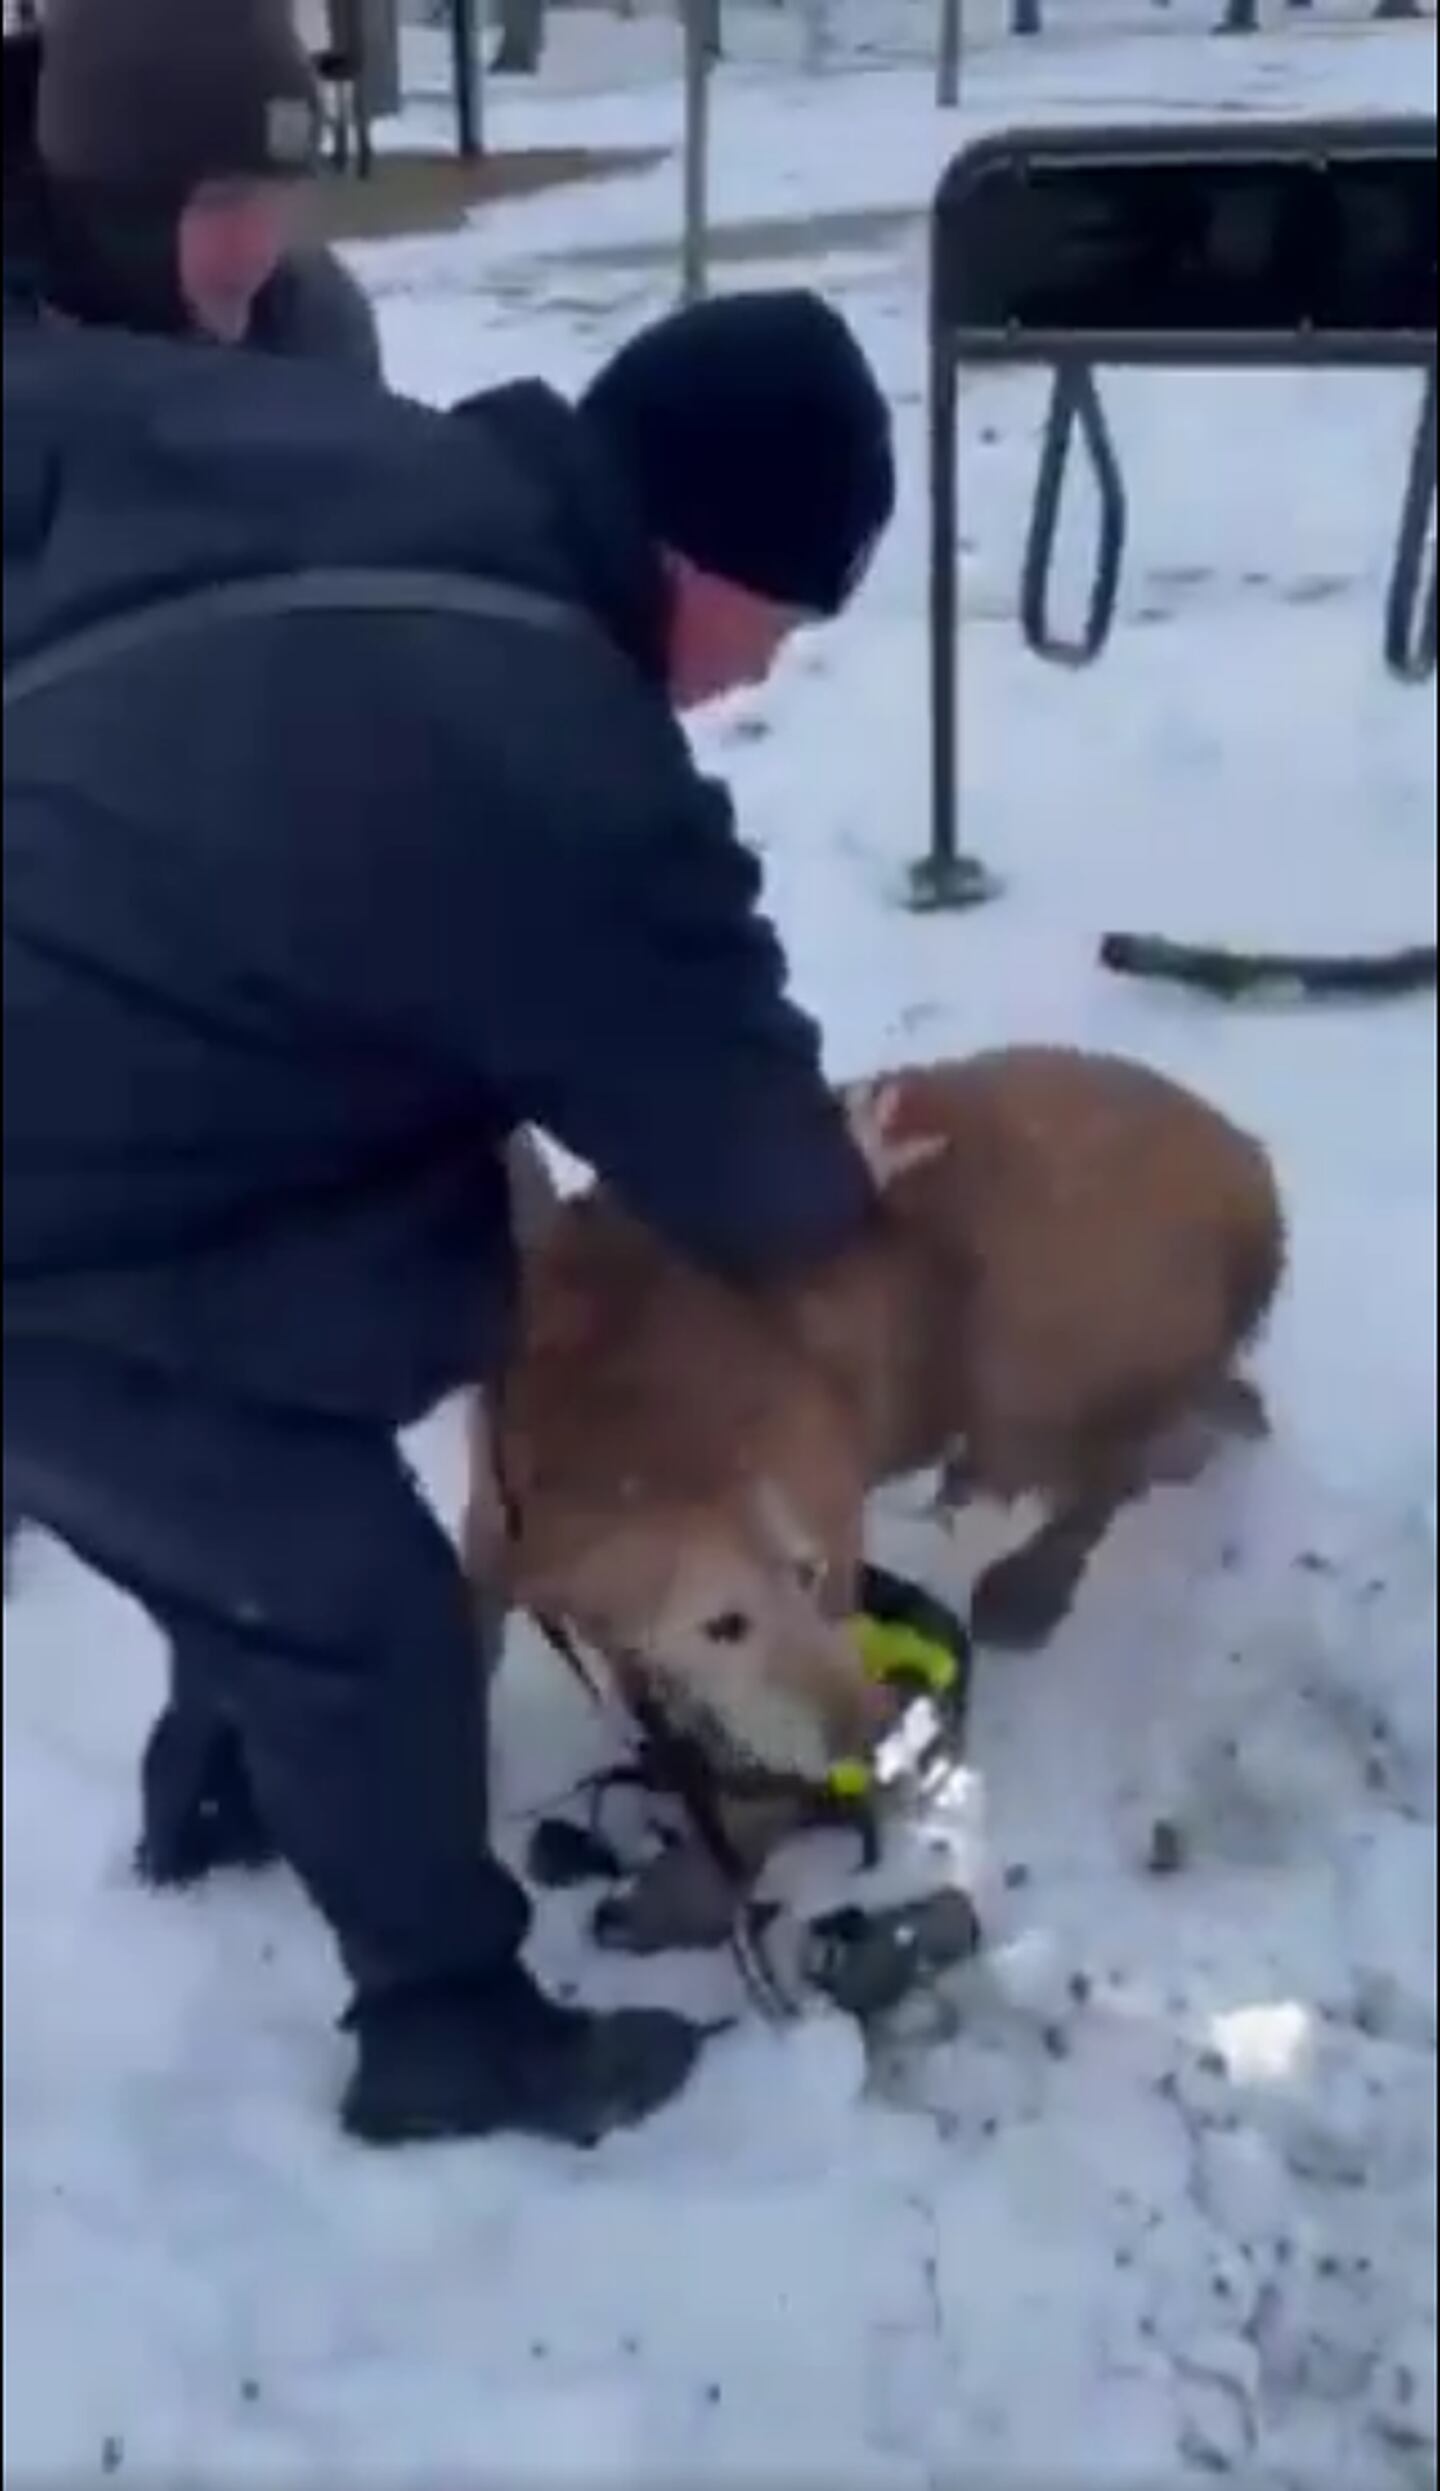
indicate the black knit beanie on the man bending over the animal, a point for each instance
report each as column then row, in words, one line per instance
column 756, row 442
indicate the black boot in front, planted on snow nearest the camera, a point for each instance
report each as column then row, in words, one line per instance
column 507, row 2059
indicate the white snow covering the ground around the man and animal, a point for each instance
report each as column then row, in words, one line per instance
column 1167, row 2198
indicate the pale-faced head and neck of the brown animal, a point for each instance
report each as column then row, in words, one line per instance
column 686, row 1493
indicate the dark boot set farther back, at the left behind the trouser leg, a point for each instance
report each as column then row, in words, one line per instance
column 196, row 1802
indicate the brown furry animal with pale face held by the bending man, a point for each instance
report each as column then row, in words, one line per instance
column 1048, row 1307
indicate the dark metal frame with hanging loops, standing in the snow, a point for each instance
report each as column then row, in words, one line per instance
column 948, row 878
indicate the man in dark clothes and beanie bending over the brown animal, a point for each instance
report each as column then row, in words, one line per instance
column 348, row 828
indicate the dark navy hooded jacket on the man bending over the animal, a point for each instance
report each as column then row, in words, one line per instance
column 308, row 913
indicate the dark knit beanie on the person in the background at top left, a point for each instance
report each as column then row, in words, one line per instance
column 156, row 96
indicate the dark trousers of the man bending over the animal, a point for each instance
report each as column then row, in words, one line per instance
column 318, row 1608
